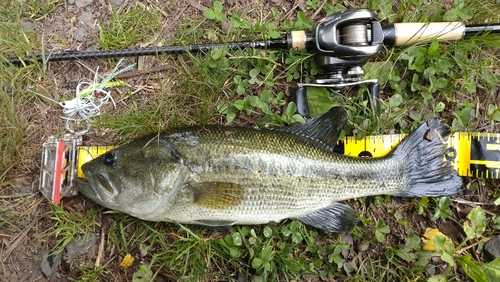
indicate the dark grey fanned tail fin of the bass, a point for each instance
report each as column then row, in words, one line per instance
column 428, row 169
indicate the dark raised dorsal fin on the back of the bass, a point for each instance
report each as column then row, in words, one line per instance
column 326, row 127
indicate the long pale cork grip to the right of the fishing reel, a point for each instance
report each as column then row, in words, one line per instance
column 411, row 33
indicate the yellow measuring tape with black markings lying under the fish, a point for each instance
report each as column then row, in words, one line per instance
column 473, row 154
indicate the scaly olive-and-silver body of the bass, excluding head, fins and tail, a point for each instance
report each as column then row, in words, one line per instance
column 281, row 174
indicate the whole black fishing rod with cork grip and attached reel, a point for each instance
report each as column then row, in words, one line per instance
column 343, row 43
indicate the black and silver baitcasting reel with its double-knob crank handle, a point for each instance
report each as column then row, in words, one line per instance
column 344, row 41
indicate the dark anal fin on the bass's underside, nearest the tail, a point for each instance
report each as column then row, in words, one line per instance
column 335, row 218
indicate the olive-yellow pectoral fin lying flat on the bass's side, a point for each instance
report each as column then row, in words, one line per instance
column 217, row 195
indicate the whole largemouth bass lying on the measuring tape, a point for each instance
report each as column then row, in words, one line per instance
column 218, row 176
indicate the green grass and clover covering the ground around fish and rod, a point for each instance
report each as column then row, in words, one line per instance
column 457, row 81
